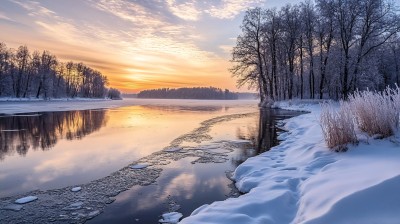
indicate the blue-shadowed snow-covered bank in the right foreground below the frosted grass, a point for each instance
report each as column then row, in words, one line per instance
column 302, row 181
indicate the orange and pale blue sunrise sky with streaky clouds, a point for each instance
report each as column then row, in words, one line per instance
column 138, row 44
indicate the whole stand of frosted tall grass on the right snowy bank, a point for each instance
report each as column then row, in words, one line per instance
column 376, row 113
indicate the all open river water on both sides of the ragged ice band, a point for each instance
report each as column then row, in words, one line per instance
column 59, row 149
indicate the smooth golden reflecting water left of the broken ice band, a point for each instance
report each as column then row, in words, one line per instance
column 48, row 150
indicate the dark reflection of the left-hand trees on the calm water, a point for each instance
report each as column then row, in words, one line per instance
column 42, row 131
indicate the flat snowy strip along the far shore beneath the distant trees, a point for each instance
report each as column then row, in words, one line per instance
column 13, row 107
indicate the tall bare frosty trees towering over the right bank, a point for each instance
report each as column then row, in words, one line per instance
column 320, row 49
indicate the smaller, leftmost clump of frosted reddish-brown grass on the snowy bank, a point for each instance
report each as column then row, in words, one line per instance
column 337, row 126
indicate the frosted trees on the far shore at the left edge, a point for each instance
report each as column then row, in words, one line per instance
column 41, row 75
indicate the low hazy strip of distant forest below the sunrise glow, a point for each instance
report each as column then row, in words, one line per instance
column 189, row 93
